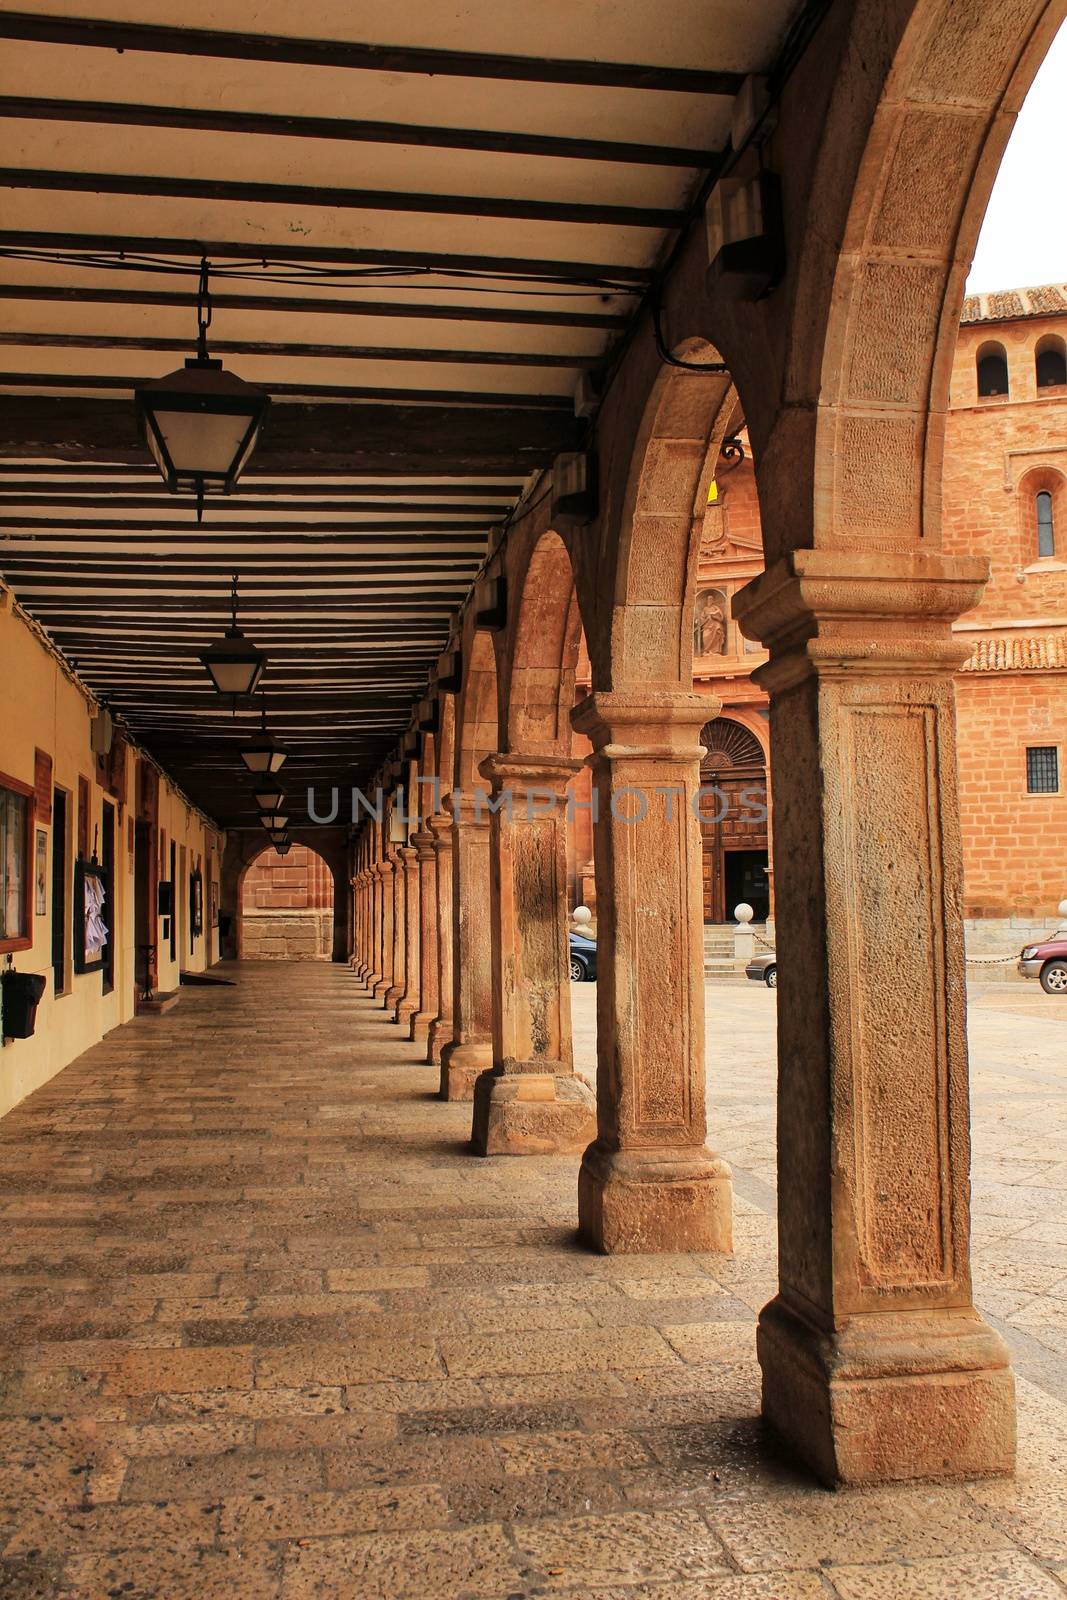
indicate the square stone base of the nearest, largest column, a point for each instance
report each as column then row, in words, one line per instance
column 922, row 1394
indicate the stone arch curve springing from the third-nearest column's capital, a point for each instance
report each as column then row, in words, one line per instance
column 541, row 657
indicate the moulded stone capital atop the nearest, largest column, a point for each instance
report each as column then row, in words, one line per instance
column 833, row 612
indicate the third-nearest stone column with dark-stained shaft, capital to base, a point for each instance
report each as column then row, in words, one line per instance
column 530, row 1102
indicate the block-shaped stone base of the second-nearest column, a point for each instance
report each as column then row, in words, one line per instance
column 655, row 1201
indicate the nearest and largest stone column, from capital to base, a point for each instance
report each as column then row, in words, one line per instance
column 876, row 1364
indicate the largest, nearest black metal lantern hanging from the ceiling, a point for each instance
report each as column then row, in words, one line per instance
column 201, row 423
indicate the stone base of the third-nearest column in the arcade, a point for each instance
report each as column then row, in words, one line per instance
column 532, row 1113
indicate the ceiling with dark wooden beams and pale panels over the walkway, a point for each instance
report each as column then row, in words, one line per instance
column 425, row 223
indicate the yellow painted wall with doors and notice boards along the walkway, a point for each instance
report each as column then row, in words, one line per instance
column 42, row 710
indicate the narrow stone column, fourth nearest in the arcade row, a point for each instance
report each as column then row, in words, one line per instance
column 471, row 1049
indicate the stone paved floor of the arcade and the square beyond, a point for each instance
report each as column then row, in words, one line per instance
column 271, row 1332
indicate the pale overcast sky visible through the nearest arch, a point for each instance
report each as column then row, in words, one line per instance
column 1025, row 236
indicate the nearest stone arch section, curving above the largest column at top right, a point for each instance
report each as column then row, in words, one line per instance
column 953, row 82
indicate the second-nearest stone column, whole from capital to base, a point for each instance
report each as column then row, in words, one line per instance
column 649, row 1183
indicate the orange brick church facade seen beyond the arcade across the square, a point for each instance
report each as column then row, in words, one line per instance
column 1005, row 497
